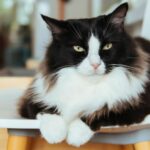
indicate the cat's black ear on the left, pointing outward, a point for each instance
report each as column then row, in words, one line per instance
column 56, row 26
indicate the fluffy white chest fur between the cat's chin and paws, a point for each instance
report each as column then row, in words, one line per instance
column 74, row 94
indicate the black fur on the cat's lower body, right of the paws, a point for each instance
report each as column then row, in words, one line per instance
column 129, row 115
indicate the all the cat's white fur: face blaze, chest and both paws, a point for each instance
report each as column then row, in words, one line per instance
column 81, row 91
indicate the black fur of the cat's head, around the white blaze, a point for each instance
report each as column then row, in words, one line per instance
column 66, row 34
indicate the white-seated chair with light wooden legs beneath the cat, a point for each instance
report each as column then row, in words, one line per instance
column 21, row 130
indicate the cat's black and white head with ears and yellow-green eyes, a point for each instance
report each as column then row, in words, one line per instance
column 91, row 46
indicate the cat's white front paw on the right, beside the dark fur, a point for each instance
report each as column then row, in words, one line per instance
column 79, row 133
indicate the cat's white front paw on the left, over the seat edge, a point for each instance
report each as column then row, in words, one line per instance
column 52, row 127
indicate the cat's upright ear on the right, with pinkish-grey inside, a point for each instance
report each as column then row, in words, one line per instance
column 119, row 14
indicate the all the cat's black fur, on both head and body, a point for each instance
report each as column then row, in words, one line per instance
column 60, row 54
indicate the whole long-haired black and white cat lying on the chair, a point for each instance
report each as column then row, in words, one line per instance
column 94, row 74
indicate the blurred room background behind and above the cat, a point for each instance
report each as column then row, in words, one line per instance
column 24, row 36
